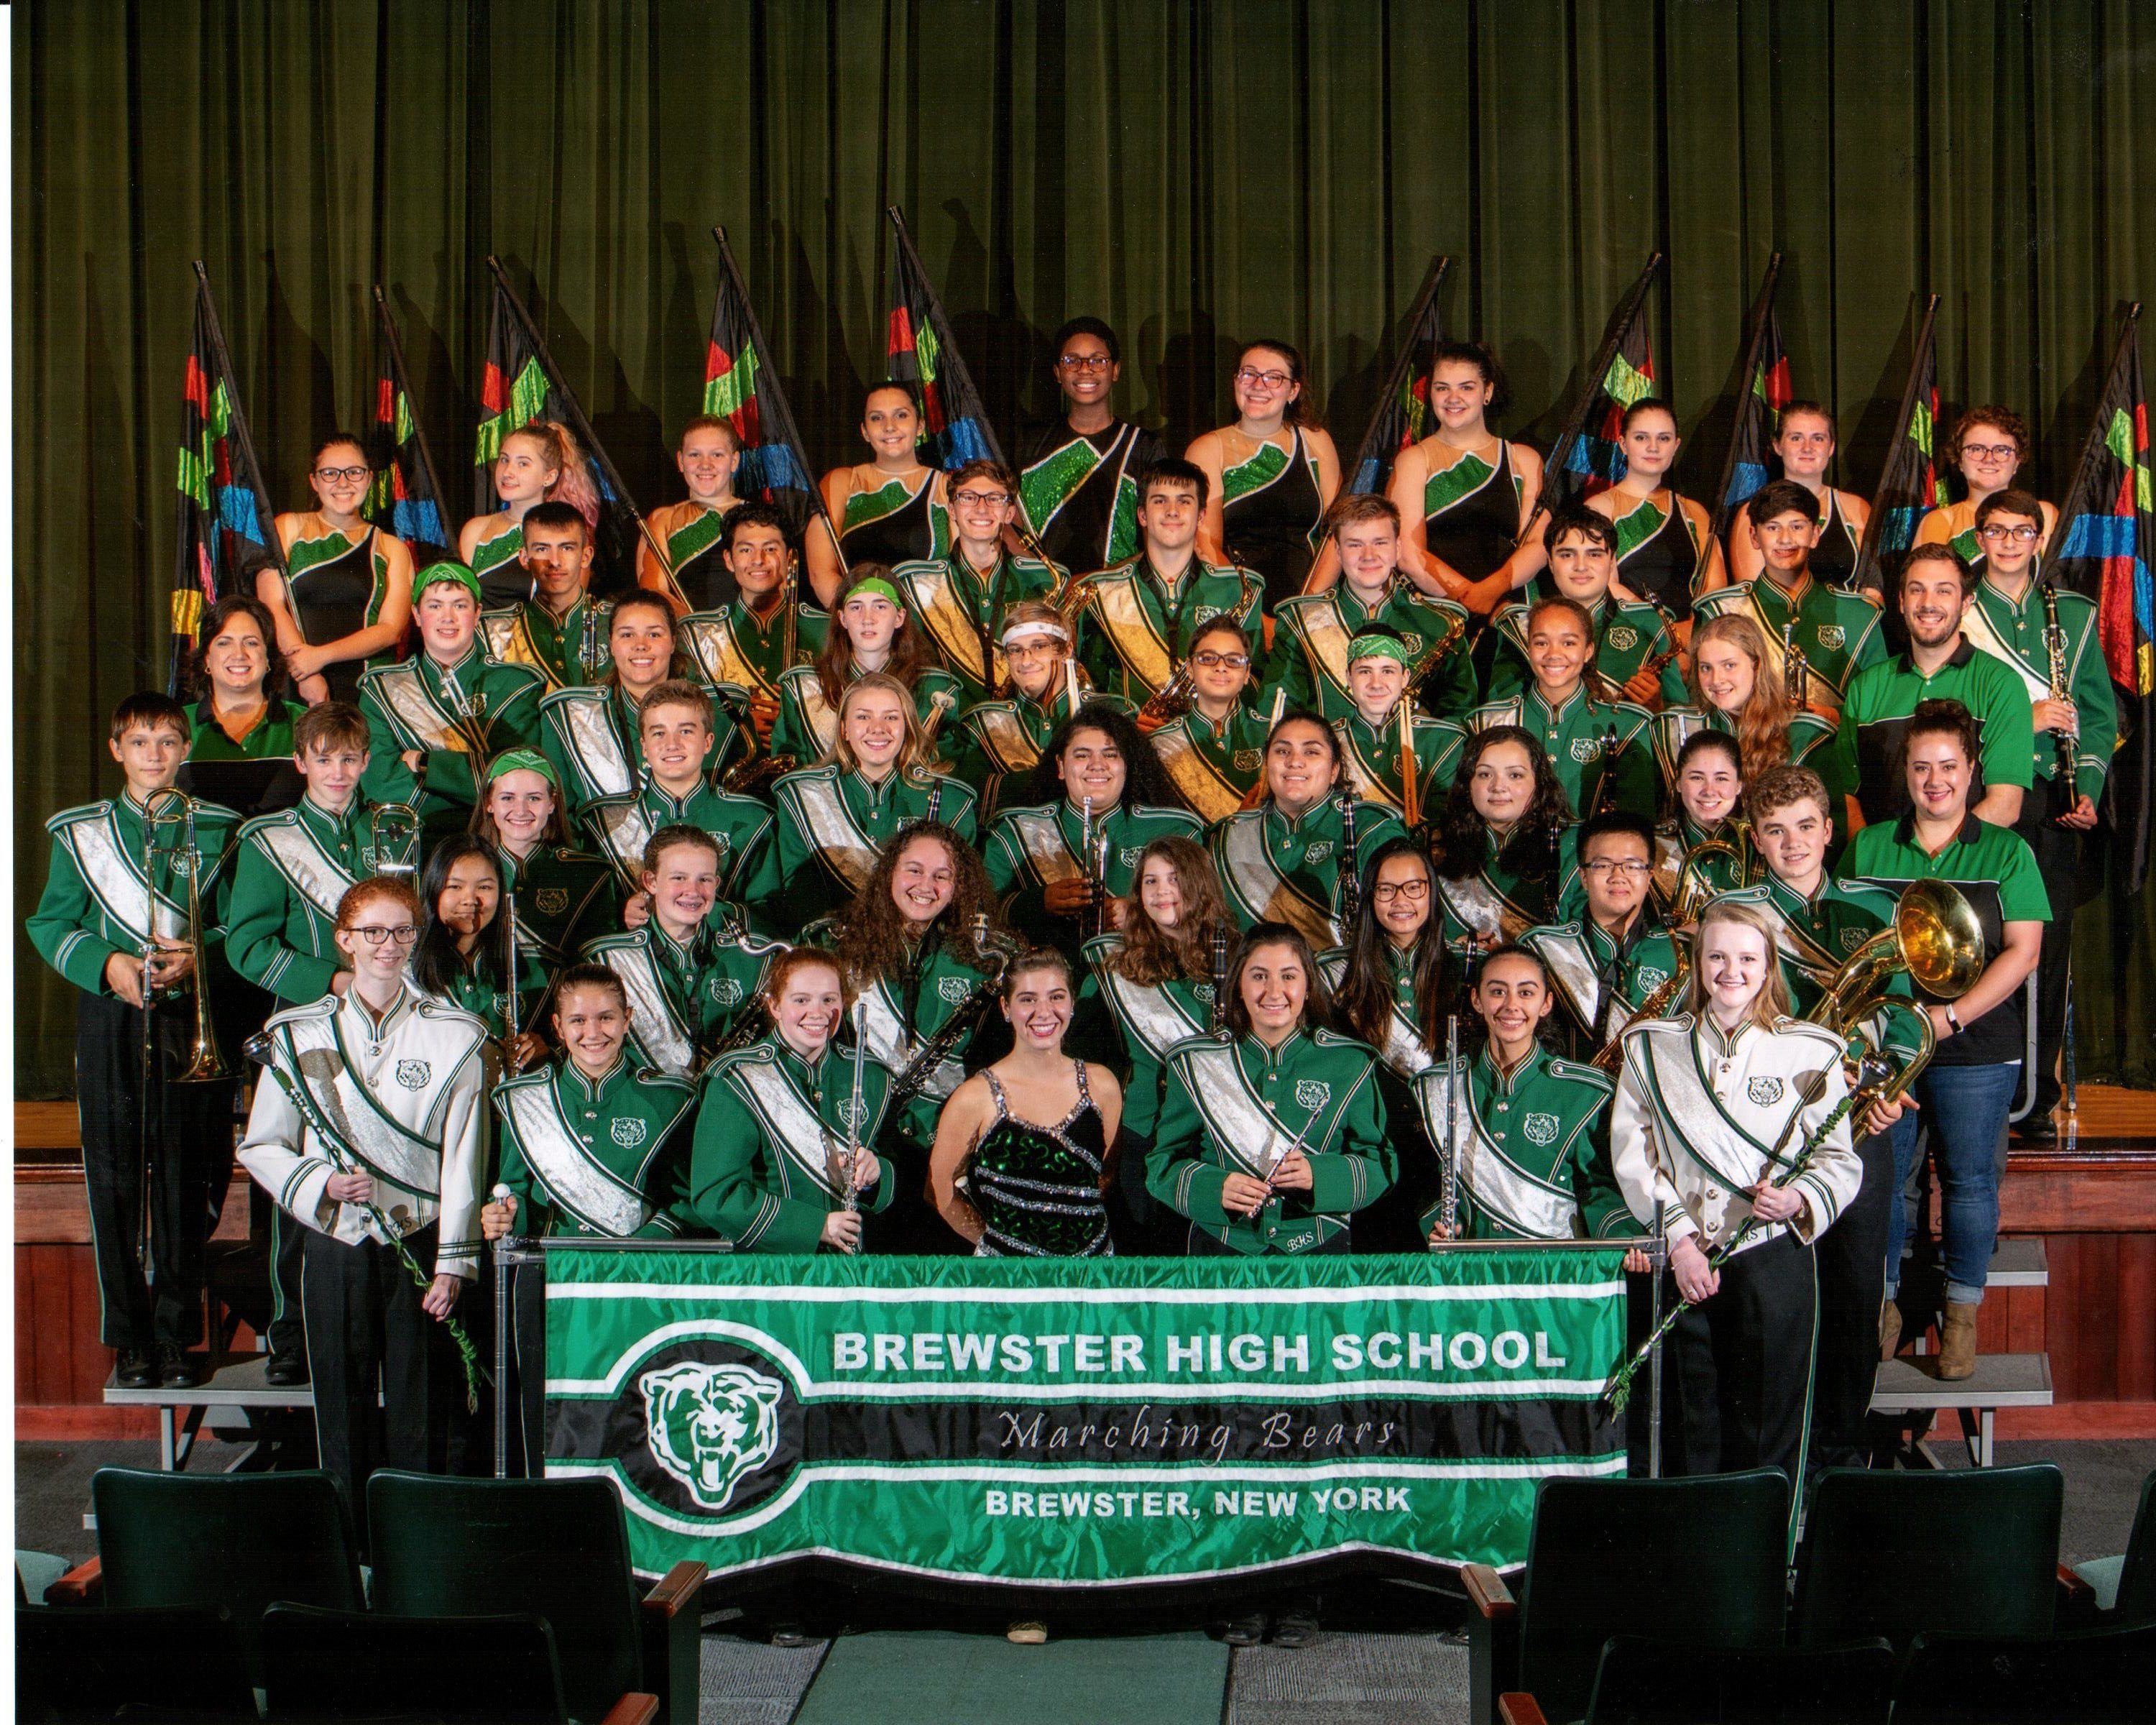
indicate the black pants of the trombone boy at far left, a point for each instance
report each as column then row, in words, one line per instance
column 191, row 1142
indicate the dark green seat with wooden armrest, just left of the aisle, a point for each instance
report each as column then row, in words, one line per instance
column 547, row 1547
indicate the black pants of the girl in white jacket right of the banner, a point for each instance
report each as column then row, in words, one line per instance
column 1745, row 1364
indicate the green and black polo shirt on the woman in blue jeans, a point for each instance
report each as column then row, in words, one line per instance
column 1998, row 874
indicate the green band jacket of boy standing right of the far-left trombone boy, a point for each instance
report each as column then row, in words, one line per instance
column 290, row 874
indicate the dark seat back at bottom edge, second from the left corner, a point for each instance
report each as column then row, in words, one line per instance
column 335, row 1668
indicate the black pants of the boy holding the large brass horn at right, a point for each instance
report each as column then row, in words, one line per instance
column 1853, row 1288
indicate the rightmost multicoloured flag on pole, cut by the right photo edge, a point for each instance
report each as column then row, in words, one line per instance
column 2107, row 549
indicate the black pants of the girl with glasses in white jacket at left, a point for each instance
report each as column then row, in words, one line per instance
column 365, row 1334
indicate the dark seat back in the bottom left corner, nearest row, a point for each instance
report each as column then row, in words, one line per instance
column 146, row 1666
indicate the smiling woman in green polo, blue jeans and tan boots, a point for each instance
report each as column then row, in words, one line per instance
column 1982, row 1038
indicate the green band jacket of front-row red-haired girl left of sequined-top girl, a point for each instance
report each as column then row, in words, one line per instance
column 773, row 1135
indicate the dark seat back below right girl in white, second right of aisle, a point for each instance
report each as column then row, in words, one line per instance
column 1901, row 1554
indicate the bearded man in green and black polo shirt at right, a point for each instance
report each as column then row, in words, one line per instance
column 1939, row 665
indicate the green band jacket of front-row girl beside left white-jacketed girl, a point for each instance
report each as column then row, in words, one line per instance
column 600, row 1159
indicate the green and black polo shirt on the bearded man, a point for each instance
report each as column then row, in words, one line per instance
column 1875, row 726
